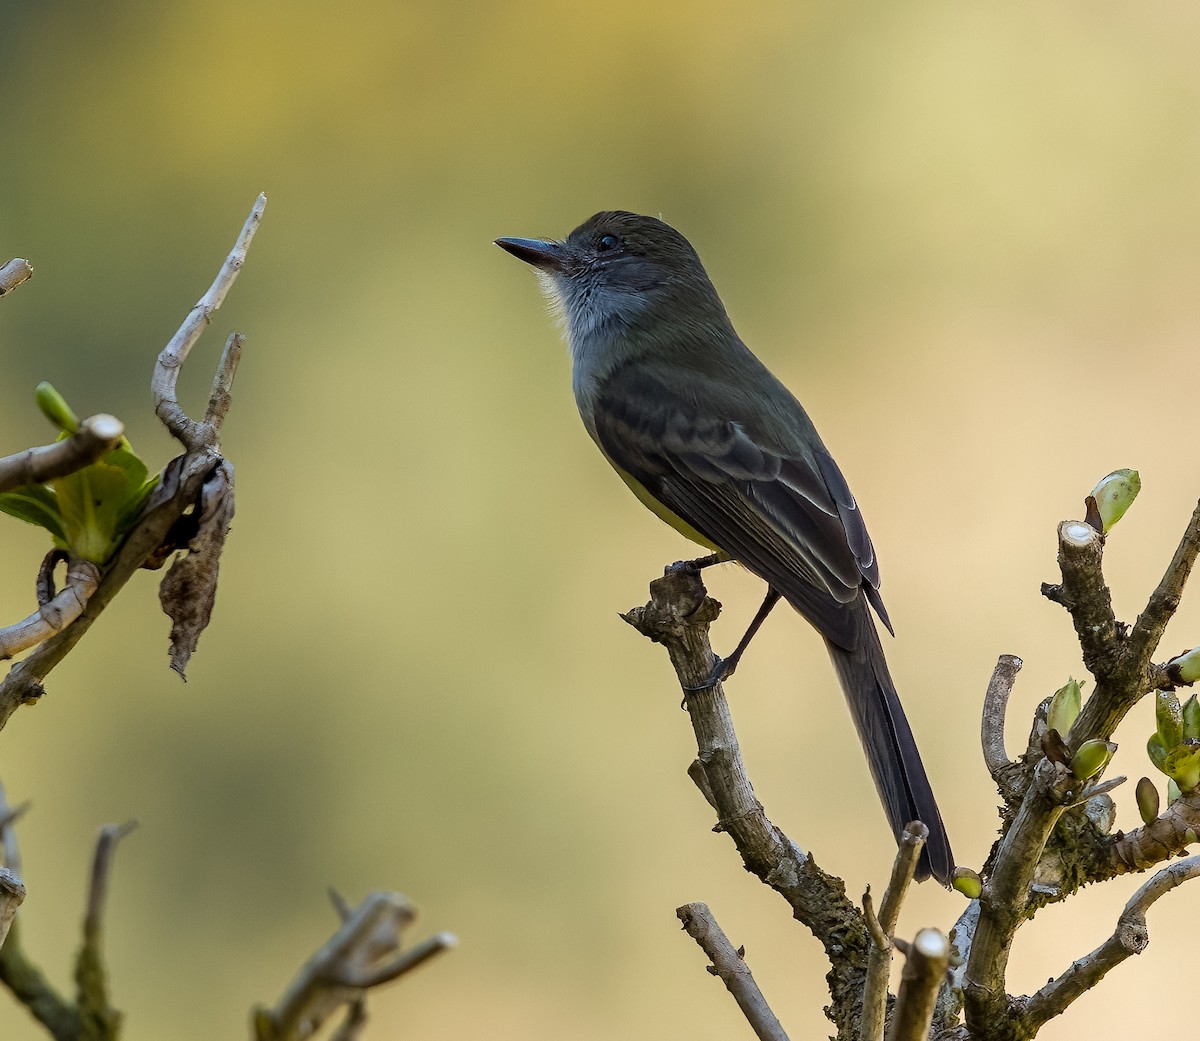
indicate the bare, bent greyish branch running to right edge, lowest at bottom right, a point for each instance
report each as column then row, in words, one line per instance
column 1131, row 937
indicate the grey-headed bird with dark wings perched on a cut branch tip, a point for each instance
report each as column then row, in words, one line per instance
column 713, row 444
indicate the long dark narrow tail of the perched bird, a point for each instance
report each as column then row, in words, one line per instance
column 891, row 749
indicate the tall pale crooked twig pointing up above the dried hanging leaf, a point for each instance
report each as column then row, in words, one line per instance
column 196, row 436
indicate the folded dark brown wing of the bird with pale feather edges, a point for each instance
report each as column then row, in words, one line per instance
column 789, row 518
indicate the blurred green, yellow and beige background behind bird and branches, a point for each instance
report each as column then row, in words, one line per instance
column 967, row 238
